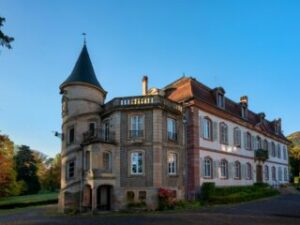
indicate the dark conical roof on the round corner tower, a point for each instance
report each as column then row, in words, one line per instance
column 83, row 72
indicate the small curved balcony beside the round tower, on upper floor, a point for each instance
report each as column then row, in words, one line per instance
column 99, row 135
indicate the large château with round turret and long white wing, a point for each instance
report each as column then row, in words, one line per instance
column 122, row 151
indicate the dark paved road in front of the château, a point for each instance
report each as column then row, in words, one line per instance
column 283, row 210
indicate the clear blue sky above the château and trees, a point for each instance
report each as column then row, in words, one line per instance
column 248, row 47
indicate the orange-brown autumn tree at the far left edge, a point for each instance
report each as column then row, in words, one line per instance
column 8, row 184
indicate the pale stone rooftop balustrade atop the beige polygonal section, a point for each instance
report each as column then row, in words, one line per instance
column 143, row 102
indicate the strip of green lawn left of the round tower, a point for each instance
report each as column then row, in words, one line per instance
column 28, row 200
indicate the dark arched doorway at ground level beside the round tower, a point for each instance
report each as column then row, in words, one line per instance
column 104, row 197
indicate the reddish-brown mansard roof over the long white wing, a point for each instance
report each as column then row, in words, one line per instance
column 186, row 88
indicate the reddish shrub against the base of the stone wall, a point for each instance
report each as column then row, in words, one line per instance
column 166, row 199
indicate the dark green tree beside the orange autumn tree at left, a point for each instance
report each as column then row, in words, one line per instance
column 26, row 167
